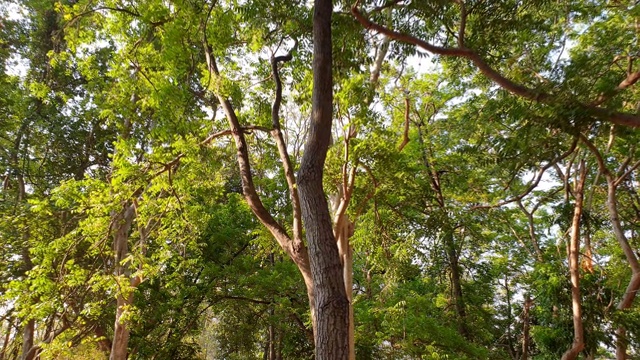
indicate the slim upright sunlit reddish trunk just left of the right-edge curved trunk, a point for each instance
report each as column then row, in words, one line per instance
column 574, row 268
